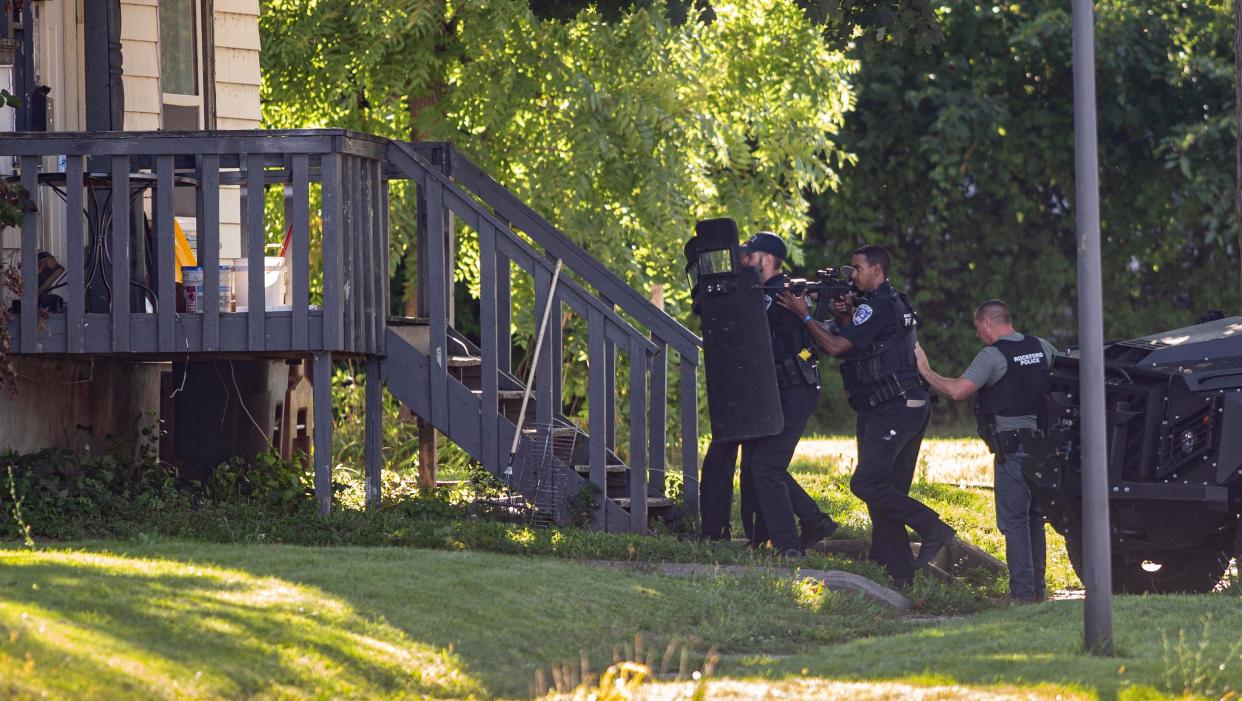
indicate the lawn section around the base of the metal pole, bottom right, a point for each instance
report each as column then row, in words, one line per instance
column 1040, row 649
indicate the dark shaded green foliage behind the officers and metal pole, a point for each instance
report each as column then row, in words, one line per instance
column 966, row 168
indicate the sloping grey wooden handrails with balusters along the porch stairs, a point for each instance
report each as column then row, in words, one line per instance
column 450, row 182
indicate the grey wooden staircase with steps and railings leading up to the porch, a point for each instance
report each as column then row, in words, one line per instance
column 469, row 391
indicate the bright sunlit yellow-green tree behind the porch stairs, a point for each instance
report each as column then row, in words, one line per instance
column 622, row 132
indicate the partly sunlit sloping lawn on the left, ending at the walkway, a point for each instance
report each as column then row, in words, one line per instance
column 175, row 620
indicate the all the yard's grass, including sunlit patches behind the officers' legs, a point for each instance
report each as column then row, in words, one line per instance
column 248, row 617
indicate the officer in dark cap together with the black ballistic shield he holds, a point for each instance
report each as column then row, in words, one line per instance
column 752, row 401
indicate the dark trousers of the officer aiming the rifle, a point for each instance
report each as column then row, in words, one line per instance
column 889, row 449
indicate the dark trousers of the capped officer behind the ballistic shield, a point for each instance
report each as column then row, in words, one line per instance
column 720, row 464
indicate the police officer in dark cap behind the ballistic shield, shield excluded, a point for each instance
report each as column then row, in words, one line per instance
column 766, row 460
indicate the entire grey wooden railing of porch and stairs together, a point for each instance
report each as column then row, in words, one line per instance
column 336, row 182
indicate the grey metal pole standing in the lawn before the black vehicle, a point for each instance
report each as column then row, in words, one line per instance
column 1097, row 557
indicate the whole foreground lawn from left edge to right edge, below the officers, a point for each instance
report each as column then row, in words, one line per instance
column 193, row 621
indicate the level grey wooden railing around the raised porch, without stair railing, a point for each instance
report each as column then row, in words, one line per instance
column 111, row 167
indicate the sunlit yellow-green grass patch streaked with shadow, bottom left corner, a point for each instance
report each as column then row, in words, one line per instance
column 78, row 625
